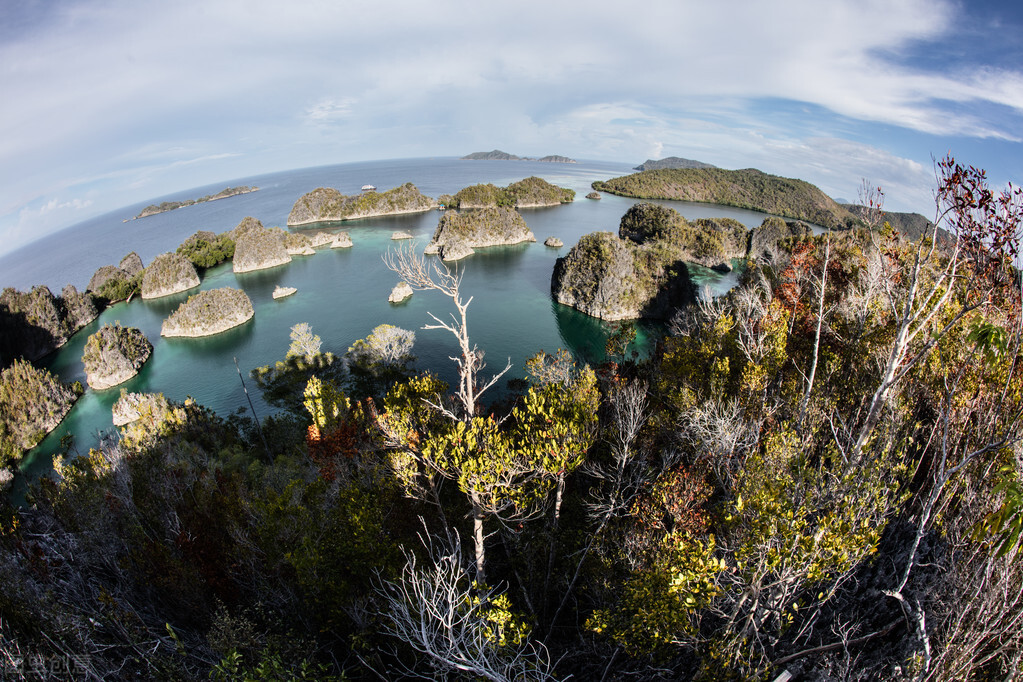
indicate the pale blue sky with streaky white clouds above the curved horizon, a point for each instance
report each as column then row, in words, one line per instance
column 109, row 103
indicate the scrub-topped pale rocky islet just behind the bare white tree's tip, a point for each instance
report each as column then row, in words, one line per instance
column 460, row 233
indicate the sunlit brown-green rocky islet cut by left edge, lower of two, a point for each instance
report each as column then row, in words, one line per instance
column 32, row 403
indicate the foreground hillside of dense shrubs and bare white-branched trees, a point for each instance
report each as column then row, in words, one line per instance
column 816, row 477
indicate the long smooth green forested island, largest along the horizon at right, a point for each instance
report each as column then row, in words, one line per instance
column 744, row 190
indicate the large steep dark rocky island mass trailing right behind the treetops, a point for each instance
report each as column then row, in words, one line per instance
column 644, row 270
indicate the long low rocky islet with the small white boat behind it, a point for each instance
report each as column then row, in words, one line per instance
column 326, row 204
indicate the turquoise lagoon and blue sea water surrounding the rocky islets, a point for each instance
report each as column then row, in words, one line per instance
column 342, row 293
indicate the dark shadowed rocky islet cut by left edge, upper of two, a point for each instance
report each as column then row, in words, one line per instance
column 35, row 324
